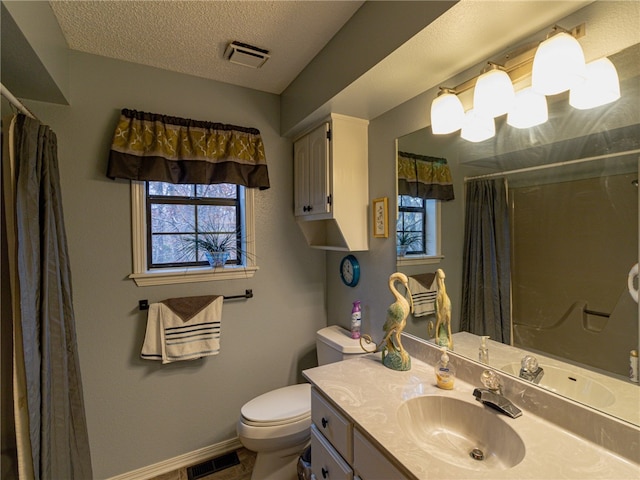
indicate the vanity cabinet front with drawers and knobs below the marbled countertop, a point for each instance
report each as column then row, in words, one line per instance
column 339, row 451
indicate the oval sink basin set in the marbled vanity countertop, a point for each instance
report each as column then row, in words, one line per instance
column 450, row 429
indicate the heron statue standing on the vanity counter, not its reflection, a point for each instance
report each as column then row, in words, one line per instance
column 394, row 355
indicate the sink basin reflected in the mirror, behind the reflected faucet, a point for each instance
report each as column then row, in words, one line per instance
column 570, row 384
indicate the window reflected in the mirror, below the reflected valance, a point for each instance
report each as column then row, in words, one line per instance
column 417, row 229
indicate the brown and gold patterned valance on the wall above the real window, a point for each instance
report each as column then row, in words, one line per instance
column 153, row 147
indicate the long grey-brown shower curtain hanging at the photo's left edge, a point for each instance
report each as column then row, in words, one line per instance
column 51, row 427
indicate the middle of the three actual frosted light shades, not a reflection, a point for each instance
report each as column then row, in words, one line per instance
column 493, row 94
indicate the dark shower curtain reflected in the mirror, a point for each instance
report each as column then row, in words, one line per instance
column 486, row 274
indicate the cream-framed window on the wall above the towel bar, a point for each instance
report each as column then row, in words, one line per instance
column 170, row 223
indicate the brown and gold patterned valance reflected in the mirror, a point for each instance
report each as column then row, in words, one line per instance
column 424, row 177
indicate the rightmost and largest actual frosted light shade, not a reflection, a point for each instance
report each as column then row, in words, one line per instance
column 558, row 65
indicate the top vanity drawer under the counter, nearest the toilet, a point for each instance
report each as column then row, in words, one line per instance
column 332, row 424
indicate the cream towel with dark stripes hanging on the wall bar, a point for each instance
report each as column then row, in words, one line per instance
column 169, row 337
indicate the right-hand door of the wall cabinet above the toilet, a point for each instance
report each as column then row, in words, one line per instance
column 319, row 180
